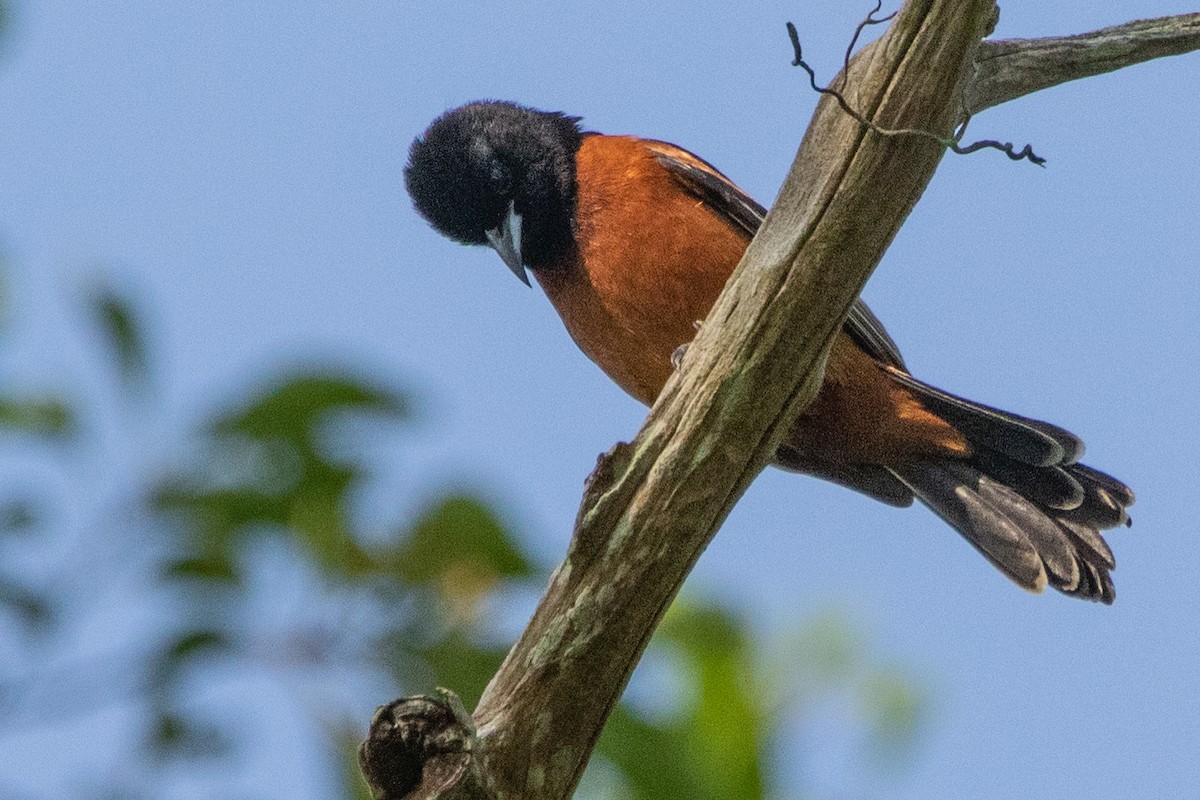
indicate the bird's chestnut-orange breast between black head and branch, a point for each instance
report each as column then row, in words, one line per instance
column 650, row 264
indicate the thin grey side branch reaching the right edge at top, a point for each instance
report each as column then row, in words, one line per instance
column 1011, row 69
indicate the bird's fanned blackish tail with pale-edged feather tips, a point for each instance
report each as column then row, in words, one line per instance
column 1021, row 498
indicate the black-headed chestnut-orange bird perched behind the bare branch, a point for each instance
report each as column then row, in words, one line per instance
column 633, row 239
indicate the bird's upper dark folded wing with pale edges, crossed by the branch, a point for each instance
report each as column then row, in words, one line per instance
column 722, row 195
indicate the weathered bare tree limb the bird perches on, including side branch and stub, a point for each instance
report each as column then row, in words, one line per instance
column 652, row 507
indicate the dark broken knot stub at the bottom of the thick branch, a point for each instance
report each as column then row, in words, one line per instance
column 422, row 748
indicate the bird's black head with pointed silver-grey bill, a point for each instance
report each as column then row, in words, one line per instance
column 502, row 175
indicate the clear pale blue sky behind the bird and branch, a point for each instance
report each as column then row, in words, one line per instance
column 239, row 166
